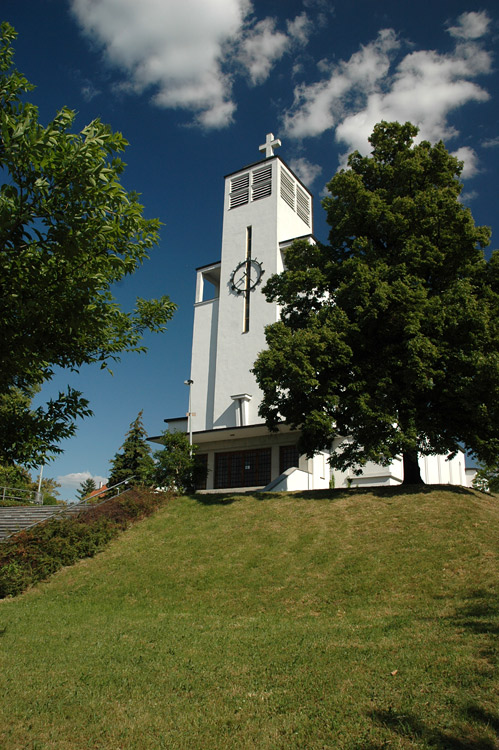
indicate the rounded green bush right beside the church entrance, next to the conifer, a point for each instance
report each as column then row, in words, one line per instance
column 176, row 466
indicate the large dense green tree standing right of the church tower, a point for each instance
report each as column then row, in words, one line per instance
column 389, row 334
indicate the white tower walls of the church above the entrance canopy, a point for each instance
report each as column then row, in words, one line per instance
column 227, row 335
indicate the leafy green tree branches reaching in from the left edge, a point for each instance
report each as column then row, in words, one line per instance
column 68, row 232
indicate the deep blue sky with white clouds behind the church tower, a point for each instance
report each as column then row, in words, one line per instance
column 195, row 86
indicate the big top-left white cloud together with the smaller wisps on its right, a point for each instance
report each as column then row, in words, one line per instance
column 188, row 53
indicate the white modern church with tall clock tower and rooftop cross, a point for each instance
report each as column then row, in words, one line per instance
column 266, row 207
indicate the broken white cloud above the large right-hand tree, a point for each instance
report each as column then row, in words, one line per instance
column 424, row 88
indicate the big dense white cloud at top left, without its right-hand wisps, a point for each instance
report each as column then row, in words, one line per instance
column 175, row 47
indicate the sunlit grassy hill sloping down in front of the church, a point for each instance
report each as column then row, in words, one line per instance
column 345, row 620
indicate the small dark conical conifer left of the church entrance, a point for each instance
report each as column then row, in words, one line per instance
column 135, row 460
